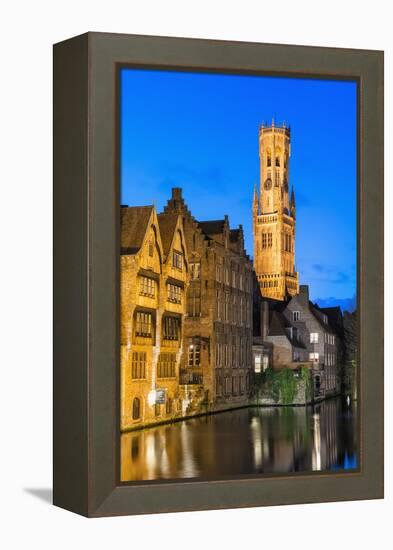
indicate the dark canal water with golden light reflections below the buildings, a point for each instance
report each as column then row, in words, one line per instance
column 247, row 441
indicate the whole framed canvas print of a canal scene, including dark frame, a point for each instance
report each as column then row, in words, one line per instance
column 218, row 274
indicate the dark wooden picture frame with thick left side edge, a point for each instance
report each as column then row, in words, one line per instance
column 86, row 273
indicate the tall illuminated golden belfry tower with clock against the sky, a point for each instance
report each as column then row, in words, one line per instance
column 274, row 215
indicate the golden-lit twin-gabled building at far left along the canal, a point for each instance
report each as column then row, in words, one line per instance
column 154, row 275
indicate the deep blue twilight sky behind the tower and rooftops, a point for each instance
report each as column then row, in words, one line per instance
column 200, row 132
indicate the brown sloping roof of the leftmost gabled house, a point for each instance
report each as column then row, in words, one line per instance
column 133, row 226
